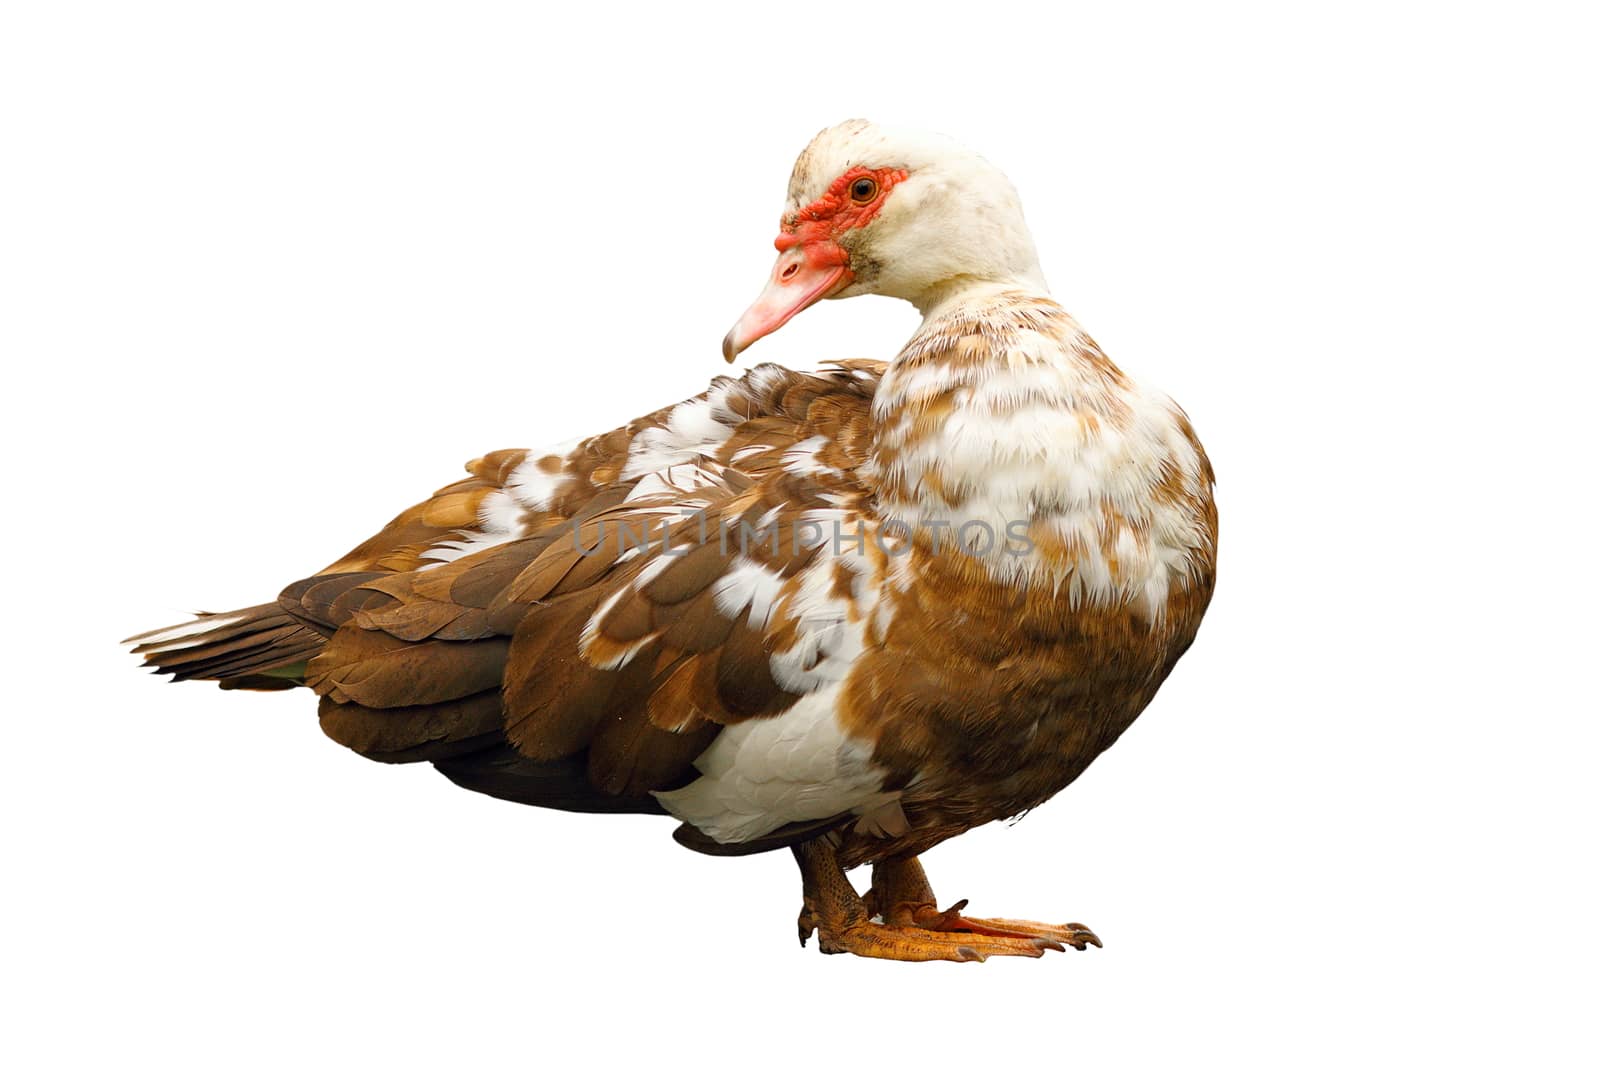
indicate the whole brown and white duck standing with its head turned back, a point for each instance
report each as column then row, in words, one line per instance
column 852, row 613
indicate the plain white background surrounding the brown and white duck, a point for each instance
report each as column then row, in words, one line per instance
column 273, row 273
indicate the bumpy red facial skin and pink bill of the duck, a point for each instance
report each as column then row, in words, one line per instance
column 812, row 262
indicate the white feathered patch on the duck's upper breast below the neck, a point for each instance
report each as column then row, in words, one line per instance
column 1020, row 454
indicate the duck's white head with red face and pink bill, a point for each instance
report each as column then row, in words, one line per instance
column 900, row 214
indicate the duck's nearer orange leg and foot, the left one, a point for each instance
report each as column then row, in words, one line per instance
column 842, row 922
